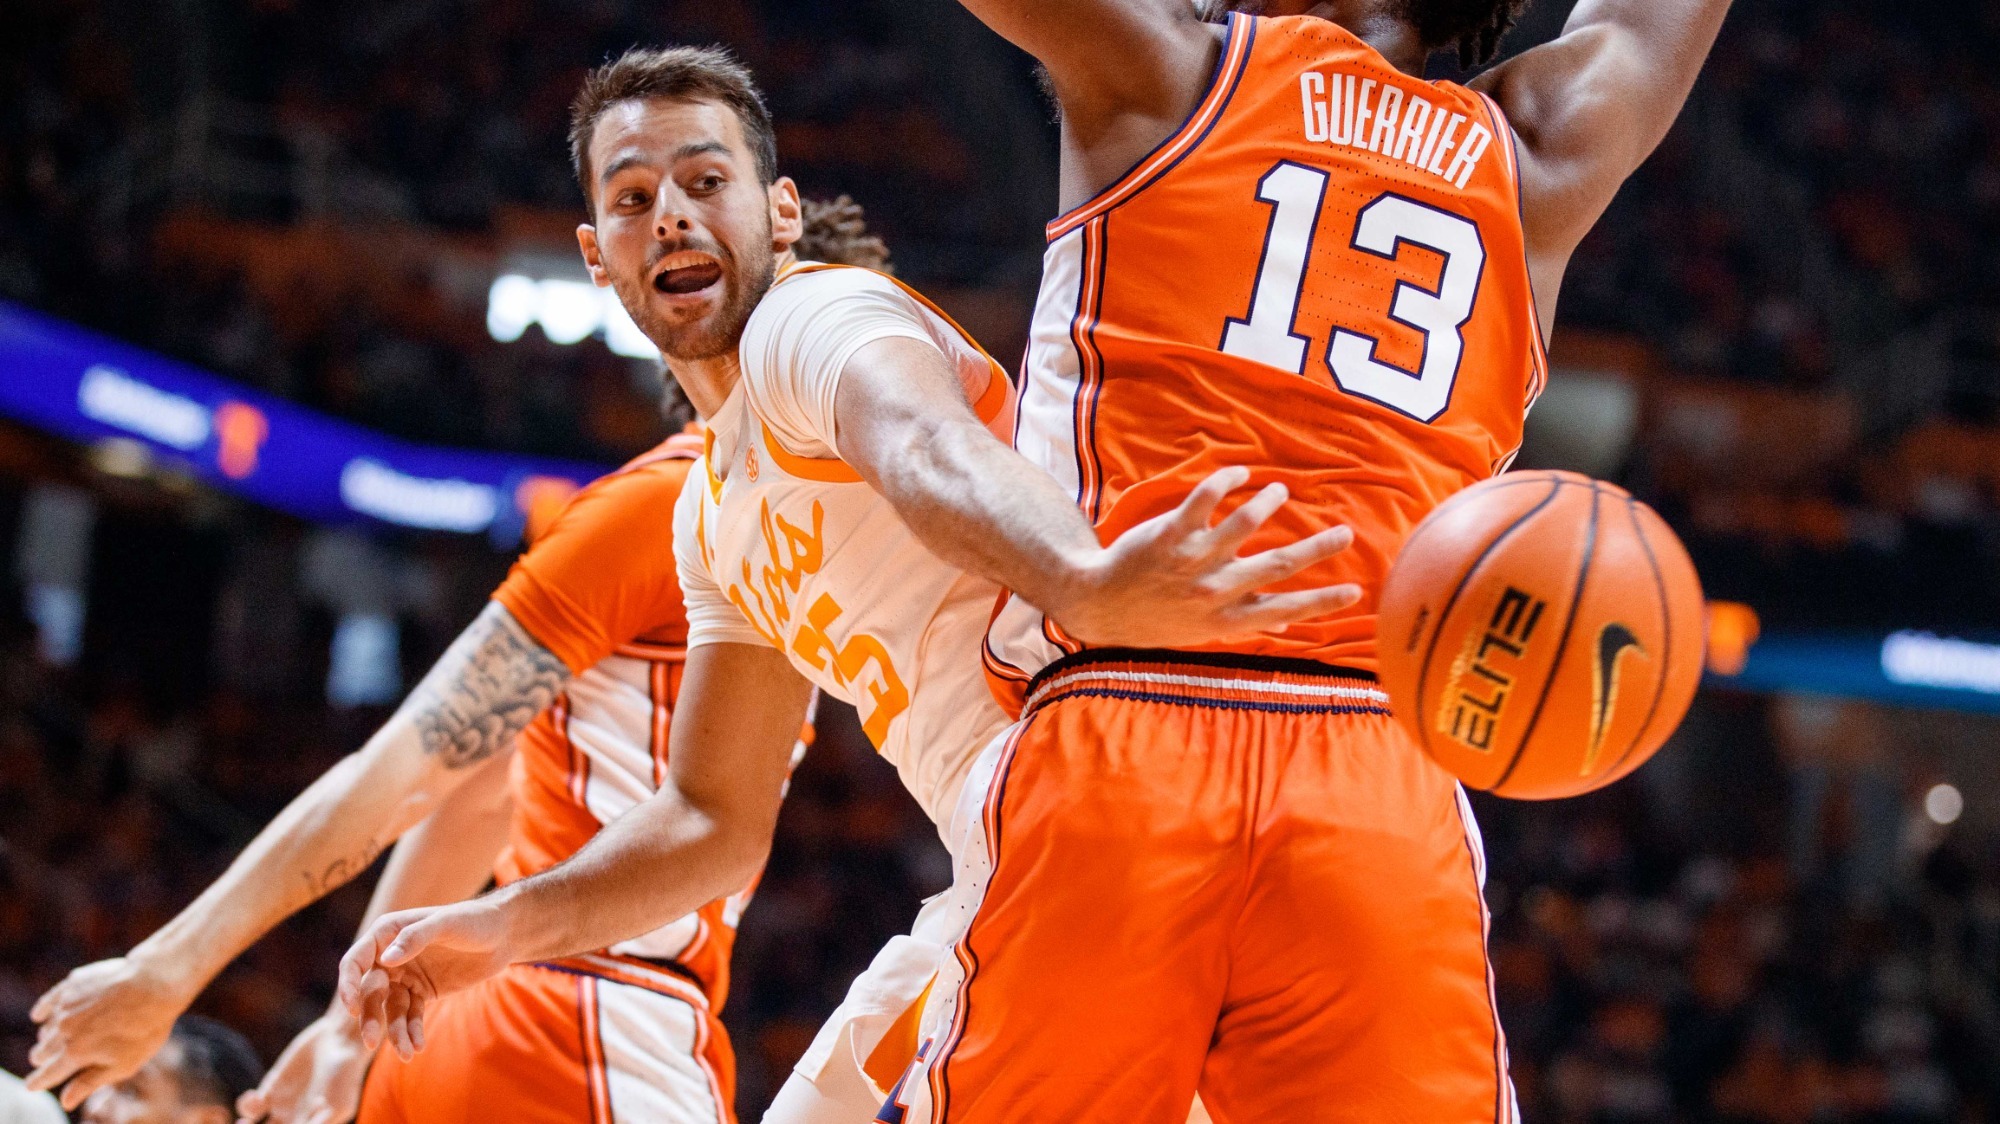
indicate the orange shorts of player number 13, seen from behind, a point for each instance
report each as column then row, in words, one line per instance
column 1203, row 875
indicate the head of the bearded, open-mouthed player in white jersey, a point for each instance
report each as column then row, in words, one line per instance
column 685, row 233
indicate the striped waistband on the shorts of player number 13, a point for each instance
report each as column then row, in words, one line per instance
column 1203, row 679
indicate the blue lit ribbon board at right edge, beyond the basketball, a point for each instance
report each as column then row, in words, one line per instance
column 1905, row 669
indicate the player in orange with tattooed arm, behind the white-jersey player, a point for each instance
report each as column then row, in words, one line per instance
column 581, row 655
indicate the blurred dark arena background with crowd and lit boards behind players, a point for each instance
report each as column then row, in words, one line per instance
column 343, row 231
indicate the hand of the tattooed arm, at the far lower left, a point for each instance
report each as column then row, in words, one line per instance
column 101, row 1025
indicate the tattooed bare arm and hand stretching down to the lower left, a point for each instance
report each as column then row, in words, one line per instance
column 103, row 1021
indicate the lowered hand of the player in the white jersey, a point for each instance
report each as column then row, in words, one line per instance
column 413, row 957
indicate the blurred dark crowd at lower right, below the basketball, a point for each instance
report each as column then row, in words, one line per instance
column 1763, row 929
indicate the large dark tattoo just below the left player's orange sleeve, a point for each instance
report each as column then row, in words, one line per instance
column 485, row 691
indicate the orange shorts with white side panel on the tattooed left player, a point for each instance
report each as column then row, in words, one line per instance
column 563, row 1043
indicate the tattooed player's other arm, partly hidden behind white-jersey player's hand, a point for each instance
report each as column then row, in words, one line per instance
column 445, row 859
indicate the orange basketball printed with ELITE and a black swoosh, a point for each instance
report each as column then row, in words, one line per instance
column 1541, row 635
